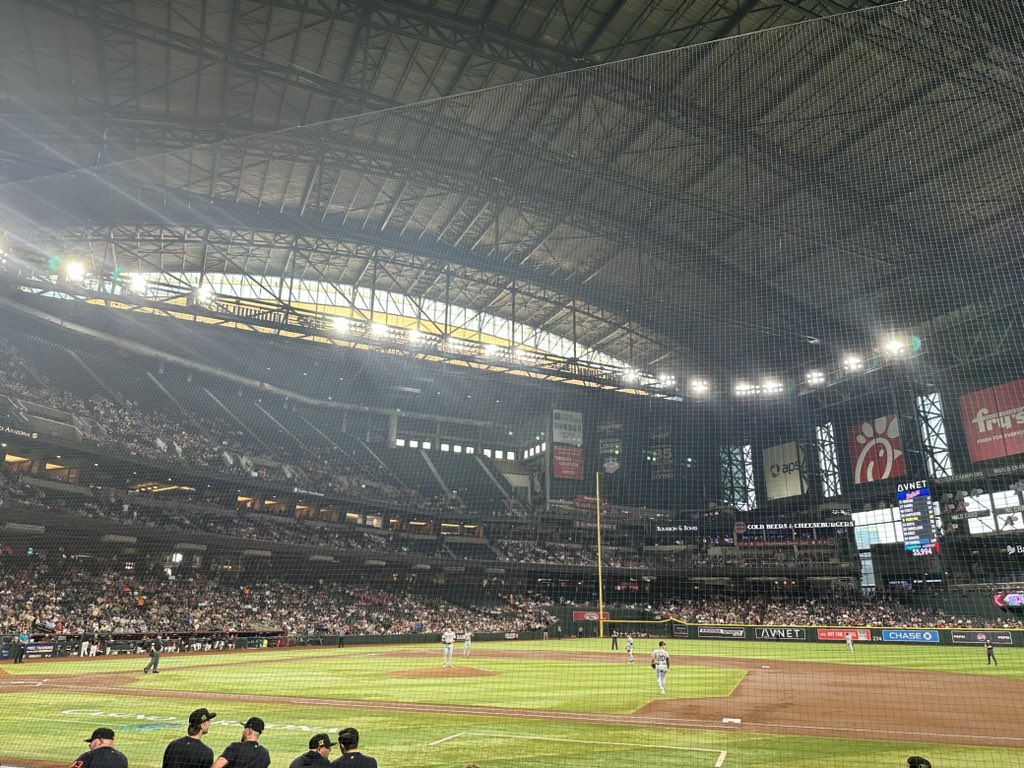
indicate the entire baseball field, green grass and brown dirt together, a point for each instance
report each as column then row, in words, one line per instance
column 541, row 704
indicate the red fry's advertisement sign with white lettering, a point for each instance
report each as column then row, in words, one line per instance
column 994, row 421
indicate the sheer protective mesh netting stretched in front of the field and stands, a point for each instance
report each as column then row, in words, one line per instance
column 719, row 348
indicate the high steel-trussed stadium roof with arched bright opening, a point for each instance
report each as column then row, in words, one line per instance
column 759, row 205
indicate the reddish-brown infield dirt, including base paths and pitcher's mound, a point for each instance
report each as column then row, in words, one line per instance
column 804, row 699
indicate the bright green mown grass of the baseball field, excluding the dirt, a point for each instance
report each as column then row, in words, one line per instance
column 41, row 724
